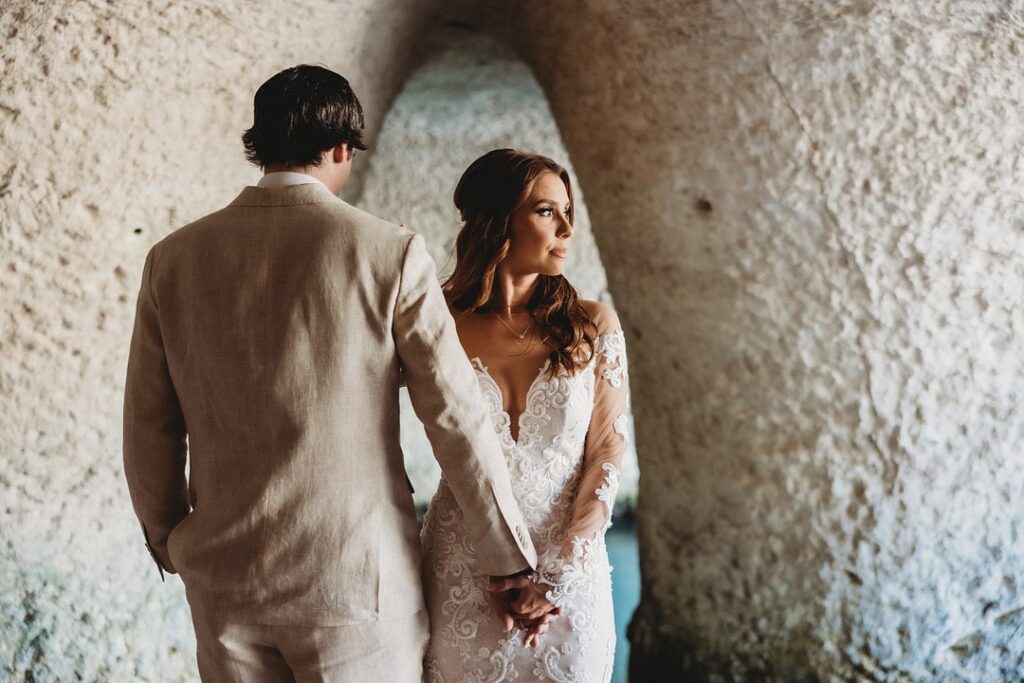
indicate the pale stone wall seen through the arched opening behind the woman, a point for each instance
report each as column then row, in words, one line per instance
column 472, row 97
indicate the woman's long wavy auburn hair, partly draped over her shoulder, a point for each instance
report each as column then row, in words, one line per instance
column 489, row 193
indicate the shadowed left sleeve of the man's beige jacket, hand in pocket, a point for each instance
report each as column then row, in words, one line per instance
column 155, row 447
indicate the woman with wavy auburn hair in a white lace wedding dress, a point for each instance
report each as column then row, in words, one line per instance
column 553, row 371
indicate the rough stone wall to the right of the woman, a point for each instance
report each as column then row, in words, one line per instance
column 820, row 257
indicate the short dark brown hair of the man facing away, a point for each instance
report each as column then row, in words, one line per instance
column 301, row 113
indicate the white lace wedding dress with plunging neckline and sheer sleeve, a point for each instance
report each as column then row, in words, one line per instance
column 565, row 471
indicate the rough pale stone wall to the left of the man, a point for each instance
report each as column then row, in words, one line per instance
column 119, row 122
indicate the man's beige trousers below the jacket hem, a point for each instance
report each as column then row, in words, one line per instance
column 390, row 651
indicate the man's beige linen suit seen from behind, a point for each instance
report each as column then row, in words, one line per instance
column 269, row 345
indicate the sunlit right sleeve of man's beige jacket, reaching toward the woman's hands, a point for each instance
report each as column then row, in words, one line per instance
column 449, row 402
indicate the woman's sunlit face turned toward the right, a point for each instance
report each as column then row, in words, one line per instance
column 542, row 230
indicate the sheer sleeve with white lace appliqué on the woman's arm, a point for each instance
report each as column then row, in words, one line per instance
column 605, row 449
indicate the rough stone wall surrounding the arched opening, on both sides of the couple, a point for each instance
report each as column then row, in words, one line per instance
column 809, row 212
